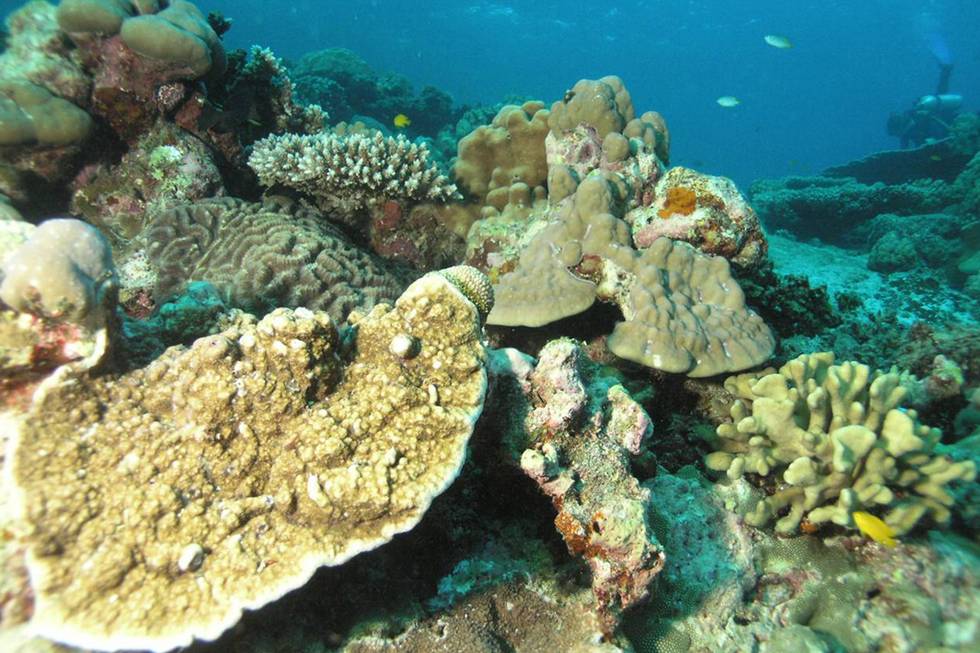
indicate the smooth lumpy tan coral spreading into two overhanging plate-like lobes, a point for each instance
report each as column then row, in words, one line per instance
column 683, row 312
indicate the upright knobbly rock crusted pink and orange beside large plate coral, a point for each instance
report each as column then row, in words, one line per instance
column 582, row 428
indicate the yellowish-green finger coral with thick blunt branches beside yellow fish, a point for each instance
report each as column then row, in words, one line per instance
column 836, row 441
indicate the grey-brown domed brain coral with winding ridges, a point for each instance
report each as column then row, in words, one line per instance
column 263, row 256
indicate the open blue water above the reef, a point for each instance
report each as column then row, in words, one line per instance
column 822, row 102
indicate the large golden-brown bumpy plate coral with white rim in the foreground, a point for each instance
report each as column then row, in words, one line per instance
column 163, row 502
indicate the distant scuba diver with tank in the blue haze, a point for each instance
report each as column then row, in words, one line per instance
column 930, row 118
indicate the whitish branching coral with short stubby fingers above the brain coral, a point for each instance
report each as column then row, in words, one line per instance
column 346, row 174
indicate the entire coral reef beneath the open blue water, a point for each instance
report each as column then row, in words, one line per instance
column 272, row 379
